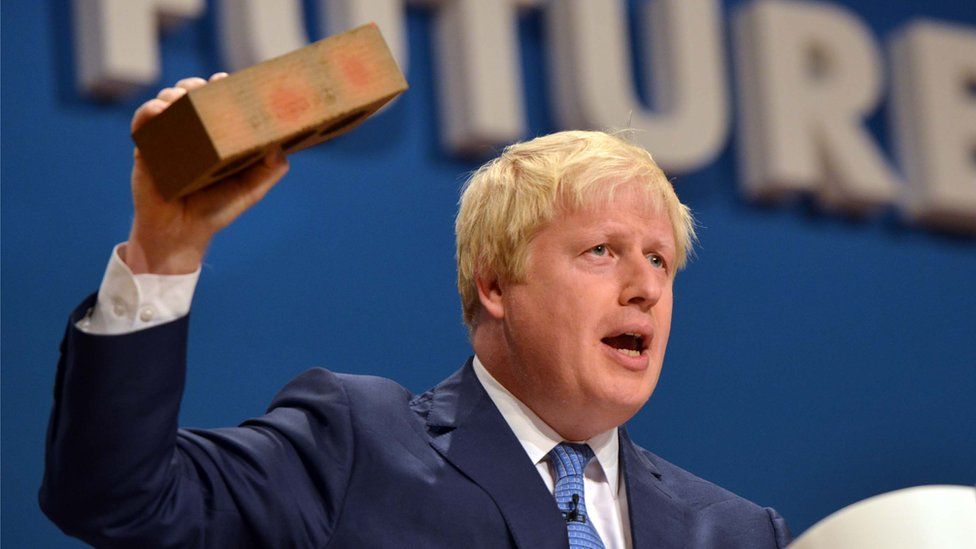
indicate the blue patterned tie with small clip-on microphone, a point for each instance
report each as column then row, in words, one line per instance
column 569, row 460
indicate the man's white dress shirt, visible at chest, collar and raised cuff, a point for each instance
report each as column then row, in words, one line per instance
column 128, row 302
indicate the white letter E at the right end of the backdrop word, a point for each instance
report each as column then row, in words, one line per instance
column 934, row 68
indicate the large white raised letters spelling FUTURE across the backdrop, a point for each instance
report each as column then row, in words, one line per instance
column 808, row 74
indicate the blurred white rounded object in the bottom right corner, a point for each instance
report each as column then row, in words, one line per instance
column 923, row 517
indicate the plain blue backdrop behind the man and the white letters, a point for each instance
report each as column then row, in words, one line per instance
column 848, row 346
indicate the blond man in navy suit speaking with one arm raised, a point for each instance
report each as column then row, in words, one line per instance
column 567, row 250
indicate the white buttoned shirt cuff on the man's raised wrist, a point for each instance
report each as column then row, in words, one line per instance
column 128, row 303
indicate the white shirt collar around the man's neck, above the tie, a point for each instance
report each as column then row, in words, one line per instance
column 538, row 438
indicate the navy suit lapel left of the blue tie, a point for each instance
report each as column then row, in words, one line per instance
column 468, row 431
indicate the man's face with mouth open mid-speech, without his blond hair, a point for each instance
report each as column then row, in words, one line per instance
column 587, row 328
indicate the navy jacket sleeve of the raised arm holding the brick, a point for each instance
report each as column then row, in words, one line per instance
column 118, row 471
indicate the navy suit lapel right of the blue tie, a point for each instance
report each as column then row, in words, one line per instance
column 656, row 518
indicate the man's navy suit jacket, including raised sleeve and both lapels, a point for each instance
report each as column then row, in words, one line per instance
column 338, row 460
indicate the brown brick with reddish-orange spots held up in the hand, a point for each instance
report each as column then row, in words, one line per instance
column 295, row 101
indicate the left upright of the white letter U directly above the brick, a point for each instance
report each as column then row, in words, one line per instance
column 252, row 31
